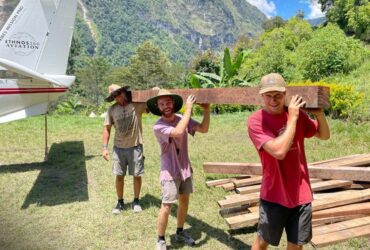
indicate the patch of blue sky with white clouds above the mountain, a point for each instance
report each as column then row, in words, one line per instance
column 288, row 8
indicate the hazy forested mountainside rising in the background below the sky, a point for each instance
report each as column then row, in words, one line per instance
column 178, row 27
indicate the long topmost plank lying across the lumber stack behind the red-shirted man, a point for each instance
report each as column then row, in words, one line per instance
column 326, row 171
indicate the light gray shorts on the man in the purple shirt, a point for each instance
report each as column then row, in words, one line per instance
column 172, row 188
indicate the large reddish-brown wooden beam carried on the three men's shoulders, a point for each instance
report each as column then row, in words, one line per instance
column 315, row 96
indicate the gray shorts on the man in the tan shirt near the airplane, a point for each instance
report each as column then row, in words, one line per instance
column 131, row 157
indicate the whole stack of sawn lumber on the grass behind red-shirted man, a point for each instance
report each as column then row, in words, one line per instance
column 341, row 206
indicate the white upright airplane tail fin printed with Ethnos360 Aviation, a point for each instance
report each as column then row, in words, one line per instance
column 38, row 35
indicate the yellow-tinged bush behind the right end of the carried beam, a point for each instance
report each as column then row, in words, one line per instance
column 345, row 101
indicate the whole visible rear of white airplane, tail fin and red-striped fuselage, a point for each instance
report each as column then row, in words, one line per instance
column 34, row 49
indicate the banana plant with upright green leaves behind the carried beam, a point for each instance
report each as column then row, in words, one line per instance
column 228, row 75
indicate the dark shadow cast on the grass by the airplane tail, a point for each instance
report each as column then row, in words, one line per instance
column 62, row 177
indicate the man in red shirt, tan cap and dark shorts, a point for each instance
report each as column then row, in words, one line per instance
column 278, row 134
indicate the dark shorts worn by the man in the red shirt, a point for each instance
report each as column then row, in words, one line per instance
column 274, row 218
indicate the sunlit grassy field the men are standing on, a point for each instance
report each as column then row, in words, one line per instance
column 66, row 202
